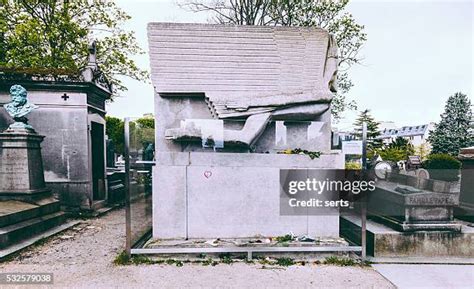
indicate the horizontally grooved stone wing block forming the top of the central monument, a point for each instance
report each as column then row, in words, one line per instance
column 218, row 59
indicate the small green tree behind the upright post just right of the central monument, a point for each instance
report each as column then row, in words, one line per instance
column 373, row 132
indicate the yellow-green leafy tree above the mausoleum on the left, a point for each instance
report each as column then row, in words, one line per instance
column 56, row 34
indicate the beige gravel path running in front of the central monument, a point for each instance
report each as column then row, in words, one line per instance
column 82, row 257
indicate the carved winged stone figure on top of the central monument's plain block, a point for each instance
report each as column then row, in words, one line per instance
column 256, row 74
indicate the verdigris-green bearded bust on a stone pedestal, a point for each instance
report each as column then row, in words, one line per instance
column 19, row 107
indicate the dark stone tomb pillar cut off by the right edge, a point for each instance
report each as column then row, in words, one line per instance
column 466, row 199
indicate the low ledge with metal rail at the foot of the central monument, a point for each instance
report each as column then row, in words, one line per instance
column 206, row 250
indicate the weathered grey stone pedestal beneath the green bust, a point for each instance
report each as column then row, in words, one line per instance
column 21, row 166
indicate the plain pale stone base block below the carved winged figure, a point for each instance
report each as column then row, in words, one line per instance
column 228, row 195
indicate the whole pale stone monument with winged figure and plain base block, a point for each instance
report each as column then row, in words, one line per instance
column 228, row 99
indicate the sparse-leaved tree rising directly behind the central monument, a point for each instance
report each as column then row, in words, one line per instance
column 326, row 14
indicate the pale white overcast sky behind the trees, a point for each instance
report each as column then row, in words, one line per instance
column 417, row 54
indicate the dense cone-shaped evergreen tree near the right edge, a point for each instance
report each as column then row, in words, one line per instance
column 452, row 132
